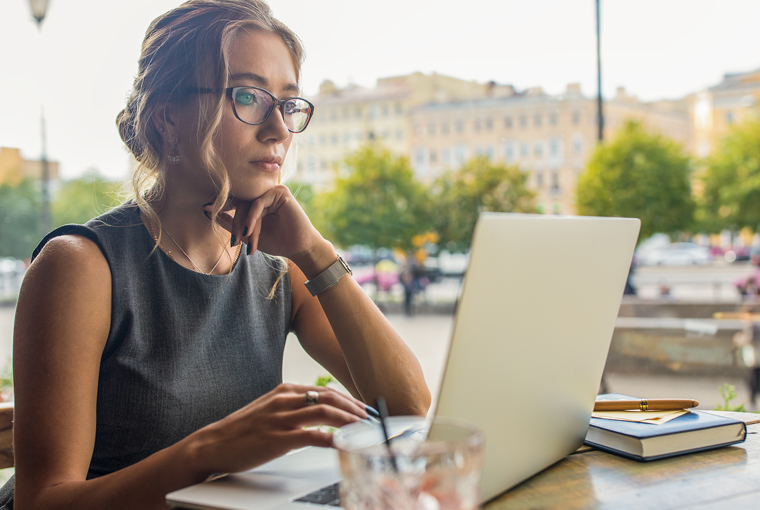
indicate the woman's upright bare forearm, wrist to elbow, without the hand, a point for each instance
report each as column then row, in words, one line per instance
column 344, row 320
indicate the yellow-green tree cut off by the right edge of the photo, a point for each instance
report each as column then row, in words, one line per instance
column 731, row 195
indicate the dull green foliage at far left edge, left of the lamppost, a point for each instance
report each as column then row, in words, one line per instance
column 19, row 219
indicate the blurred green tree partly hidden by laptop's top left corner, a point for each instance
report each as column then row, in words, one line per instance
column 460, row 196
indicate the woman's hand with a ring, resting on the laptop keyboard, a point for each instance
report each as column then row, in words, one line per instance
column 271, row 426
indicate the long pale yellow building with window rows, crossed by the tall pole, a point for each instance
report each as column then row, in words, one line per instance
column 548, row 136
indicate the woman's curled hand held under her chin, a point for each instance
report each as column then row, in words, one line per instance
column 274, row 223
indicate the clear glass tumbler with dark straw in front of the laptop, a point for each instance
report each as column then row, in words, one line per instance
column 430, row 465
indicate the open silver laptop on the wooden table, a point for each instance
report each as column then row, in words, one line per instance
column 533, row 327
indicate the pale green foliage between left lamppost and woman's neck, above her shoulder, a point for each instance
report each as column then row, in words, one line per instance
column 80, row 200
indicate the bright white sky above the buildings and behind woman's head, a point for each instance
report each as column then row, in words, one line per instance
column 79, row 68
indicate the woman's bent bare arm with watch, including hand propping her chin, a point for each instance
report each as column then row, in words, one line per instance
column 341, row 328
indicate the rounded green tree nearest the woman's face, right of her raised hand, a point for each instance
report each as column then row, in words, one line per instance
column 377, row 203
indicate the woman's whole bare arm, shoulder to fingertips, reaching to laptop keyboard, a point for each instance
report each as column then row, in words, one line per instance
column 62, row 322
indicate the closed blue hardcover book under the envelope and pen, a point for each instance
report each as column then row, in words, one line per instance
column 694, row 431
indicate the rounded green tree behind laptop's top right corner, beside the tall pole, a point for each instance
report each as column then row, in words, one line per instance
column 641, row 175
